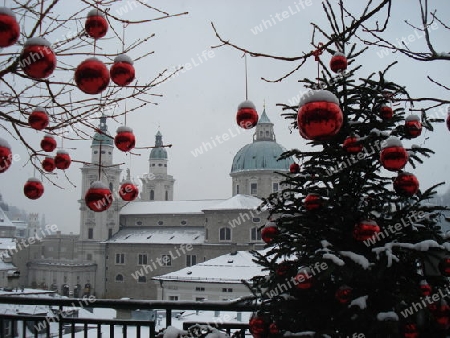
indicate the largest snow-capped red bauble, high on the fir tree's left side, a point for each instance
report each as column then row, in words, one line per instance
column 319, row 116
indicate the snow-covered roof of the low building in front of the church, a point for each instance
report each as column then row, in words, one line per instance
column 230, row 268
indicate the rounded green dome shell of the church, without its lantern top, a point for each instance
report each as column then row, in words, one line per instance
column 261, row 155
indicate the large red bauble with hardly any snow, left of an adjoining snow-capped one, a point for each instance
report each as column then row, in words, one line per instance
column 92, row 76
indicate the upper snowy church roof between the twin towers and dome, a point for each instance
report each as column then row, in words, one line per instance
column 168, row 207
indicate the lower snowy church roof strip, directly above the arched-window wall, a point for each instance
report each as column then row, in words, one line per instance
column 159, row 235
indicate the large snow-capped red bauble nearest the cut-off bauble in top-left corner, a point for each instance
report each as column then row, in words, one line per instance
column 37, row 59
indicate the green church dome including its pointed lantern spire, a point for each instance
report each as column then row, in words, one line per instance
column 263, row 153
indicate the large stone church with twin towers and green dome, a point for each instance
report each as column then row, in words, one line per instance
column 119, row 251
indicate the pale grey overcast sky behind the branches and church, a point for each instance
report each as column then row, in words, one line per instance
column 200, row 104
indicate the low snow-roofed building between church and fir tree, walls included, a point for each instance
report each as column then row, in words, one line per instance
column 219, row 278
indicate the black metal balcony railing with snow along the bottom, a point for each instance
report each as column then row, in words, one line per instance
column 60, row 322
